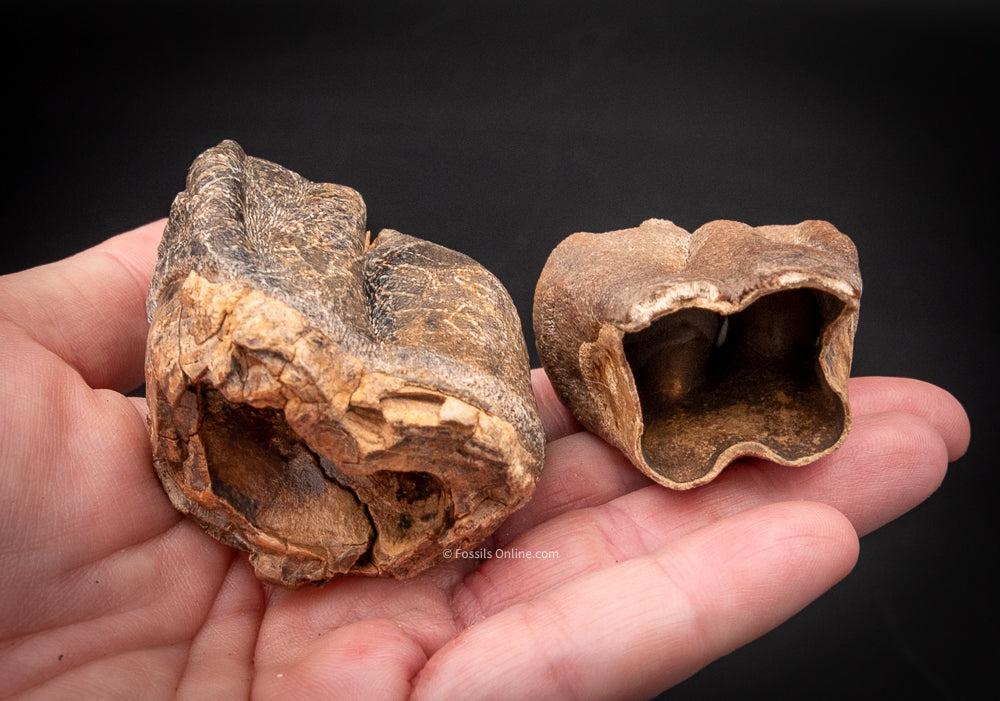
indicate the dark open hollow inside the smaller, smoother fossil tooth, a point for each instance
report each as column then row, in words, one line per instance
column 707, row 381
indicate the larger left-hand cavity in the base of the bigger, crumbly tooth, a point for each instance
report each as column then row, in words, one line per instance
column 264, row 471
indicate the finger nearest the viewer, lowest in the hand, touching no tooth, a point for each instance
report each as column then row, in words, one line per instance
column 631, row 630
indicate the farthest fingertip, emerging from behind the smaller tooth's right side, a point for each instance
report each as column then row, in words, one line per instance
column 871, row 395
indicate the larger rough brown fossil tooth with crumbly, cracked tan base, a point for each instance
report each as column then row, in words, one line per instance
column 330, row 404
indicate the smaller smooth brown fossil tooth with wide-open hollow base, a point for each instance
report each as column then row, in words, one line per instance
column 687, row 351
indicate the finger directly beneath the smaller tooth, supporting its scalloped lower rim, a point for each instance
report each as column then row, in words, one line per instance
column 890, row 464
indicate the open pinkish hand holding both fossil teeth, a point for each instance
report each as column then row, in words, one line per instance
column 109, row 592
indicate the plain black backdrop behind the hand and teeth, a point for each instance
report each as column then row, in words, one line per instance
column 499, row 128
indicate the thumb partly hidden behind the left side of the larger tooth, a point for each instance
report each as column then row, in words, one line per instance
column 90, row 309
